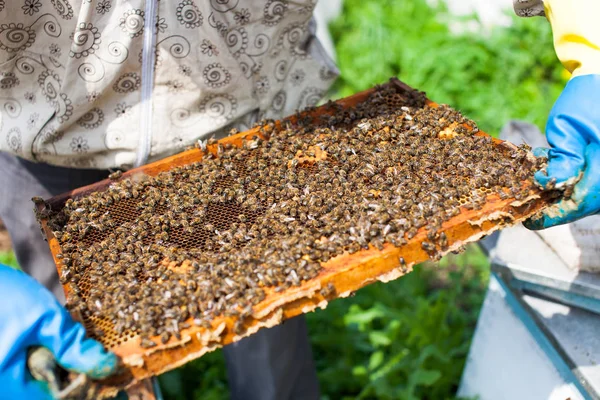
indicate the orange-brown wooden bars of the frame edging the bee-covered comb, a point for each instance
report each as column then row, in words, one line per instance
column 346, row 272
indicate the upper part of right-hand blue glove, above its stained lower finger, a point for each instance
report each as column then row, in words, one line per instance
column 573, row 124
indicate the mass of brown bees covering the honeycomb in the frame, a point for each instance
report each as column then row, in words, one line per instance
column 154, row 255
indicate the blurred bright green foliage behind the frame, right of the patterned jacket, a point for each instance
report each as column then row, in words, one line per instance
column 509, row 73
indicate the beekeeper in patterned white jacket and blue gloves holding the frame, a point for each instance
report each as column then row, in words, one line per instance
column 86, row 86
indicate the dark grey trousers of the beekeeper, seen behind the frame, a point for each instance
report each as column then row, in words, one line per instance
column 273, row 364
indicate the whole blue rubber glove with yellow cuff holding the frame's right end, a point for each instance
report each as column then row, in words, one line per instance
column 573, row 132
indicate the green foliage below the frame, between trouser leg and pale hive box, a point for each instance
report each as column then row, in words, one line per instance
column 406, row 339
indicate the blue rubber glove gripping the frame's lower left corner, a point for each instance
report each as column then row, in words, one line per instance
column 31, row 316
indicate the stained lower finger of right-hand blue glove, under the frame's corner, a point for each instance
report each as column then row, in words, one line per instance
column 584, row 201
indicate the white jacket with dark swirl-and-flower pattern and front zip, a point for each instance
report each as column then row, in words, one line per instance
column 77, row 89
